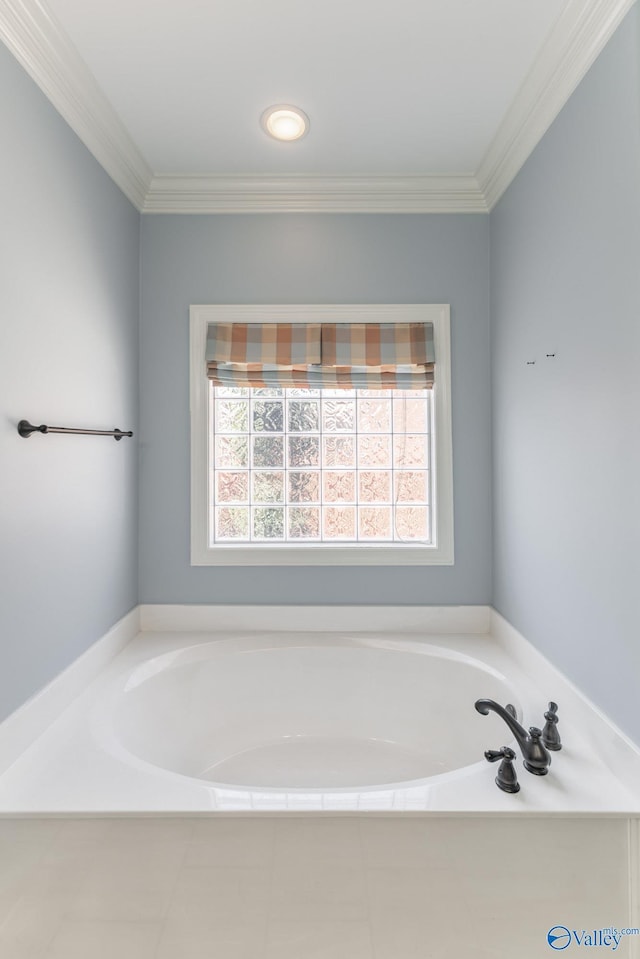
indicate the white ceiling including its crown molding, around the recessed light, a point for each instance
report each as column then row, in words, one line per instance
column 435, row 99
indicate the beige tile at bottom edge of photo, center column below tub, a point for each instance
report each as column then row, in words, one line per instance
column 293, row 939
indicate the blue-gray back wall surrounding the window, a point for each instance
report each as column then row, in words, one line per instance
column 308, row 259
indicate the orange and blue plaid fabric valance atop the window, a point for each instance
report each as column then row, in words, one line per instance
column 397, row 356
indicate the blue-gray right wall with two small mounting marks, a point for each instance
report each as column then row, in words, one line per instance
column 565, row 279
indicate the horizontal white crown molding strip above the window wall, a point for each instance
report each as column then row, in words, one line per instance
column 314, row 194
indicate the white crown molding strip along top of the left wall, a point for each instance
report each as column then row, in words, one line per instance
column 49, row 57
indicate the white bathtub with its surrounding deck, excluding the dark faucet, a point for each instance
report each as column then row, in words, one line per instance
column 301, row 721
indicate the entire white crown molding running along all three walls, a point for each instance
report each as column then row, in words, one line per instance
column 47, row 54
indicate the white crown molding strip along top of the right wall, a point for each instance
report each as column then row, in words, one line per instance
column 579, row 35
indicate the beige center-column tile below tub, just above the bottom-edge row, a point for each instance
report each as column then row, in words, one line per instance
column 318, row 891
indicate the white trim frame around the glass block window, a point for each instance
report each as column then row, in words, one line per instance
column 438, row 554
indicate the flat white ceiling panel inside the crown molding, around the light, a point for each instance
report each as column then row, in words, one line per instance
column 390, row 86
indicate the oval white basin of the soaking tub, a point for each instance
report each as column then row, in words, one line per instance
column 312, row 714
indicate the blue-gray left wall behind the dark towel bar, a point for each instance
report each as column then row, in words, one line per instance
column 69, row 296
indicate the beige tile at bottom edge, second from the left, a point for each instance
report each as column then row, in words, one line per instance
column 105, row 940
